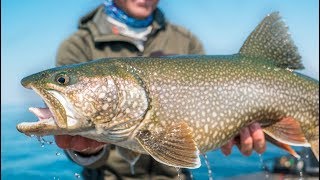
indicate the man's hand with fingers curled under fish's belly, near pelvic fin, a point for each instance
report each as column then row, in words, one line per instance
column 250, row 138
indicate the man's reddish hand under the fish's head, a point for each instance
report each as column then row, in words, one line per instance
column 79, row 144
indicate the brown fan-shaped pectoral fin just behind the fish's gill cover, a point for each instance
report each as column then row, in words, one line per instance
column 174, row 146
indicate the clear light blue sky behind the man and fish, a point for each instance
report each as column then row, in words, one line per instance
column 32, row 30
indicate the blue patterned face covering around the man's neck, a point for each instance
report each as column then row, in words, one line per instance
column 113, row 11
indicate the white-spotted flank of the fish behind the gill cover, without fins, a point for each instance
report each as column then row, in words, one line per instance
column 179, row 87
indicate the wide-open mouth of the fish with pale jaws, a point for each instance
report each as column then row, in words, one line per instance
column 56, row 118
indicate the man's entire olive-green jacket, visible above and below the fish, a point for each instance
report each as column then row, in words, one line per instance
column 95, row 39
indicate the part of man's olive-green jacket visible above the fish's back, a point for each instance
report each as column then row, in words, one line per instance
column 95, row 39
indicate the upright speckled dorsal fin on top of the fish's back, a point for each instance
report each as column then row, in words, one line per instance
column 271, row 40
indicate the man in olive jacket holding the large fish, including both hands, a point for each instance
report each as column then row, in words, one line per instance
column 147, row 25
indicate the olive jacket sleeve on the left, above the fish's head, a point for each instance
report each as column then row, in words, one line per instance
column 72, row 51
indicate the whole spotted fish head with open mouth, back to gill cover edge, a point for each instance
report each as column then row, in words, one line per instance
column 86, row 99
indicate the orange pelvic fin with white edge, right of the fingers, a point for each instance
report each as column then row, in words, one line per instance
column 284, row 133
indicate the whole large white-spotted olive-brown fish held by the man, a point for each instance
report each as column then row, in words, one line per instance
column 175, row 108
